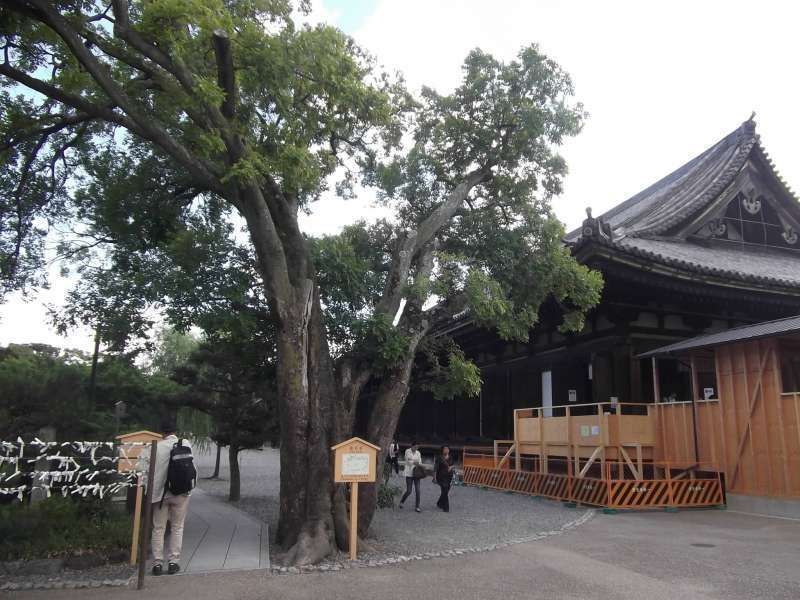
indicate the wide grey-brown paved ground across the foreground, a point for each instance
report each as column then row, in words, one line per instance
column 656, row 556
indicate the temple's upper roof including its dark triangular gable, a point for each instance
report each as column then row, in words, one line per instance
column 684, row 221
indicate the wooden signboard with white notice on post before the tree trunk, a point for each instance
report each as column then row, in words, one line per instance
column 355, row 461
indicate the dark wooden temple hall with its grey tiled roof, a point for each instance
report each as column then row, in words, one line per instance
column 712, row 246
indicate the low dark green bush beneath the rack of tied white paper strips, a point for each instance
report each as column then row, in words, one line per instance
column 58, row 527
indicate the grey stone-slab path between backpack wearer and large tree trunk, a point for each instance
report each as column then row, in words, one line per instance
column 219, row 537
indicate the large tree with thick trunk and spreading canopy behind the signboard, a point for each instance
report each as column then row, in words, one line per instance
column 229, row 102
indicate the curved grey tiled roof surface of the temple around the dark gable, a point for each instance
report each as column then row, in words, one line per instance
column 649, row 225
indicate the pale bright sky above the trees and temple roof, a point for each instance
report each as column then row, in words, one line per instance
column 661, row 82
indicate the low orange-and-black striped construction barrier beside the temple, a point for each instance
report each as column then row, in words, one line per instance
column 608, row 493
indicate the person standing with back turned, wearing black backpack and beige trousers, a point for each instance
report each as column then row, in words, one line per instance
column 175, row 476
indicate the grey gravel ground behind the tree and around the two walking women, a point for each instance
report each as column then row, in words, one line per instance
column 477, row 518
